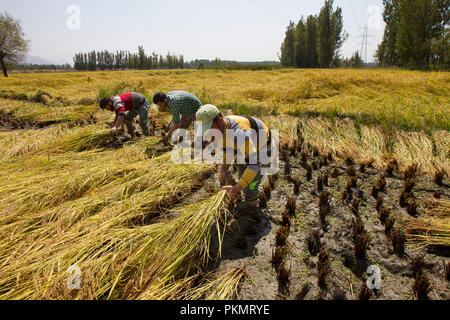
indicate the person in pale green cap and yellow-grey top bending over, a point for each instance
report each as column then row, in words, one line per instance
column 241, row 127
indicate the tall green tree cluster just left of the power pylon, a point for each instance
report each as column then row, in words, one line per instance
column 316, row 41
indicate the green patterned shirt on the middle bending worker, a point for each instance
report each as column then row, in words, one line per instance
column 182, row 103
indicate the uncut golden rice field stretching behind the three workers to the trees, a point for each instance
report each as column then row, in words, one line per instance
column 380, row 102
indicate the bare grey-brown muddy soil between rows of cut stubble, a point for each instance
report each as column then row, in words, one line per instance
column 250, row 241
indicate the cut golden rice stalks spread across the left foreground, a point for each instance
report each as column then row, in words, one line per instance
column 68, row 199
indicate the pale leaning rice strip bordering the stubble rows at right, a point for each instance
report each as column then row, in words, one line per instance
column 342, row 138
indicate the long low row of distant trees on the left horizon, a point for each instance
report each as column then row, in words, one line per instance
column 105, row 60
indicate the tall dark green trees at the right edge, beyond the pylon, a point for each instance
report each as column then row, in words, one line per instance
column 416, row 34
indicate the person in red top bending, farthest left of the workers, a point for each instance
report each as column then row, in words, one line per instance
column 135, row 103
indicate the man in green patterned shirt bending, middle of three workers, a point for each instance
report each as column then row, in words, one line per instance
column 183, row 106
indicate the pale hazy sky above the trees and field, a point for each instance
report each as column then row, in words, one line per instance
column 244, row 30
